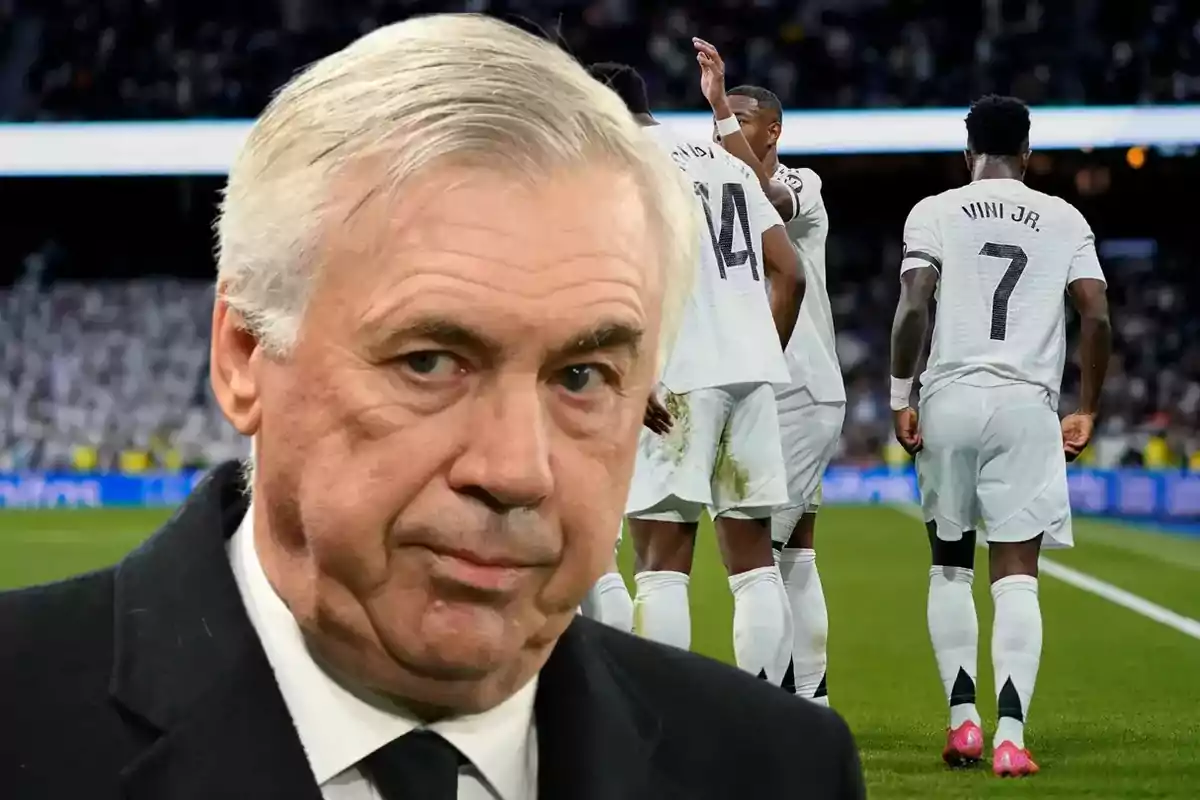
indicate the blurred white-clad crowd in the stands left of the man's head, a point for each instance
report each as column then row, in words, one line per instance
column 109, row 377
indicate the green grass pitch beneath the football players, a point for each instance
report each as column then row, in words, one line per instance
column 1118, row 706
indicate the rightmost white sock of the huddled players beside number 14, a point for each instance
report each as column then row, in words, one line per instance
column 811, row 622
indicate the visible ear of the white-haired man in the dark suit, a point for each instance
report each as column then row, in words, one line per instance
column 236, row 368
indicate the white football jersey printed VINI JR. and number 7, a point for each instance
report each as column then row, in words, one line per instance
column 1005, row 255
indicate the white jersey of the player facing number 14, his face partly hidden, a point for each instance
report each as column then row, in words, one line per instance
column 813, row 351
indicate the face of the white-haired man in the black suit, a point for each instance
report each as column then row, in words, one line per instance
column 445, row 459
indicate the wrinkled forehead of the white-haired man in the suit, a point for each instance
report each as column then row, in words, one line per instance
column 527, row 255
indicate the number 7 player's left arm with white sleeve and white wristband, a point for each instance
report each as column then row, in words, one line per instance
column 920, row 266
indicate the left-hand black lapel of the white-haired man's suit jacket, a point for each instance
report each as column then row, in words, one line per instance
column 188, row 664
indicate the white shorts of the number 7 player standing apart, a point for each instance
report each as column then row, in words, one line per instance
column 993, row 459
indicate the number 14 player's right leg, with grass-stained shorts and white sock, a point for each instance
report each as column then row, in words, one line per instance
column 748, row 484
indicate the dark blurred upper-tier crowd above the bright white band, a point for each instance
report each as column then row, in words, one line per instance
column 140, row 59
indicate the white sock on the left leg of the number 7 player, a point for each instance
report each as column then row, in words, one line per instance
column 955, row 633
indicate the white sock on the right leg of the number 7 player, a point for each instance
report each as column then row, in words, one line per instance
column 1016, row 653
